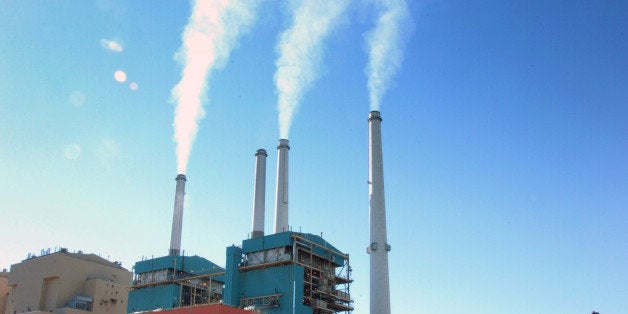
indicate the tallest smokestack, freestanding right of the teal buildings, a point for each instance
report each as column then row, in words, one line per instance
column 379, row 248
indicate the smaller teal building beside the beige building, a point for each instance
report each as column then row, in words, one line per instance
column 175, row 281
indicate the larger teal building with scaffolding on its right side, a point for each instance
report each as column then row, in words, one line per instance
column 288, row 272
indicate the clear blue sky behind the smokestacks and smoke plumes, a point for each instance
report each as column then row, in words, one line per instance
column 505, row 138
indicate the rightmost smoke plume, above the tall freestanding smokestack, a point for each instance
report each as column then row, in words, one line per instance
column 384, row 44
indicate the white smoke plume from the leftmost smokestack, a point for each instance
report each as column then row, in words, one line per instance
column 212, row 31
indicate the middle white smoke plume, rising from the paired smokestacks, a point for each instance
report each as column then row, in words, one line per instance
column 300, row 49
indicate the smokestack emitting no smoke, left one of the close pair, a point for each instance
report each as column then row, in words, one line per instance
column 259, row 194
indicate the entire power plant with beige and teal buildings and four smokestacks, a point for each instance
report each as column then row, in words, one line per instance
column 282, row 272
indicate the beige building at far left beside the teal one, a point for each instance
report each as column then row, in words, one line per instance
column 68, row 283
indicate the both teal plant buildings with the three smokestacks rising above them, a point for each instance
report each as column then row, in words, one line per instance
column 284, row 272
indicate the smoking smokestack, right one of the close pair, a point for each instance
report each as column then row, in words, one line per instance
column 281, row 201
